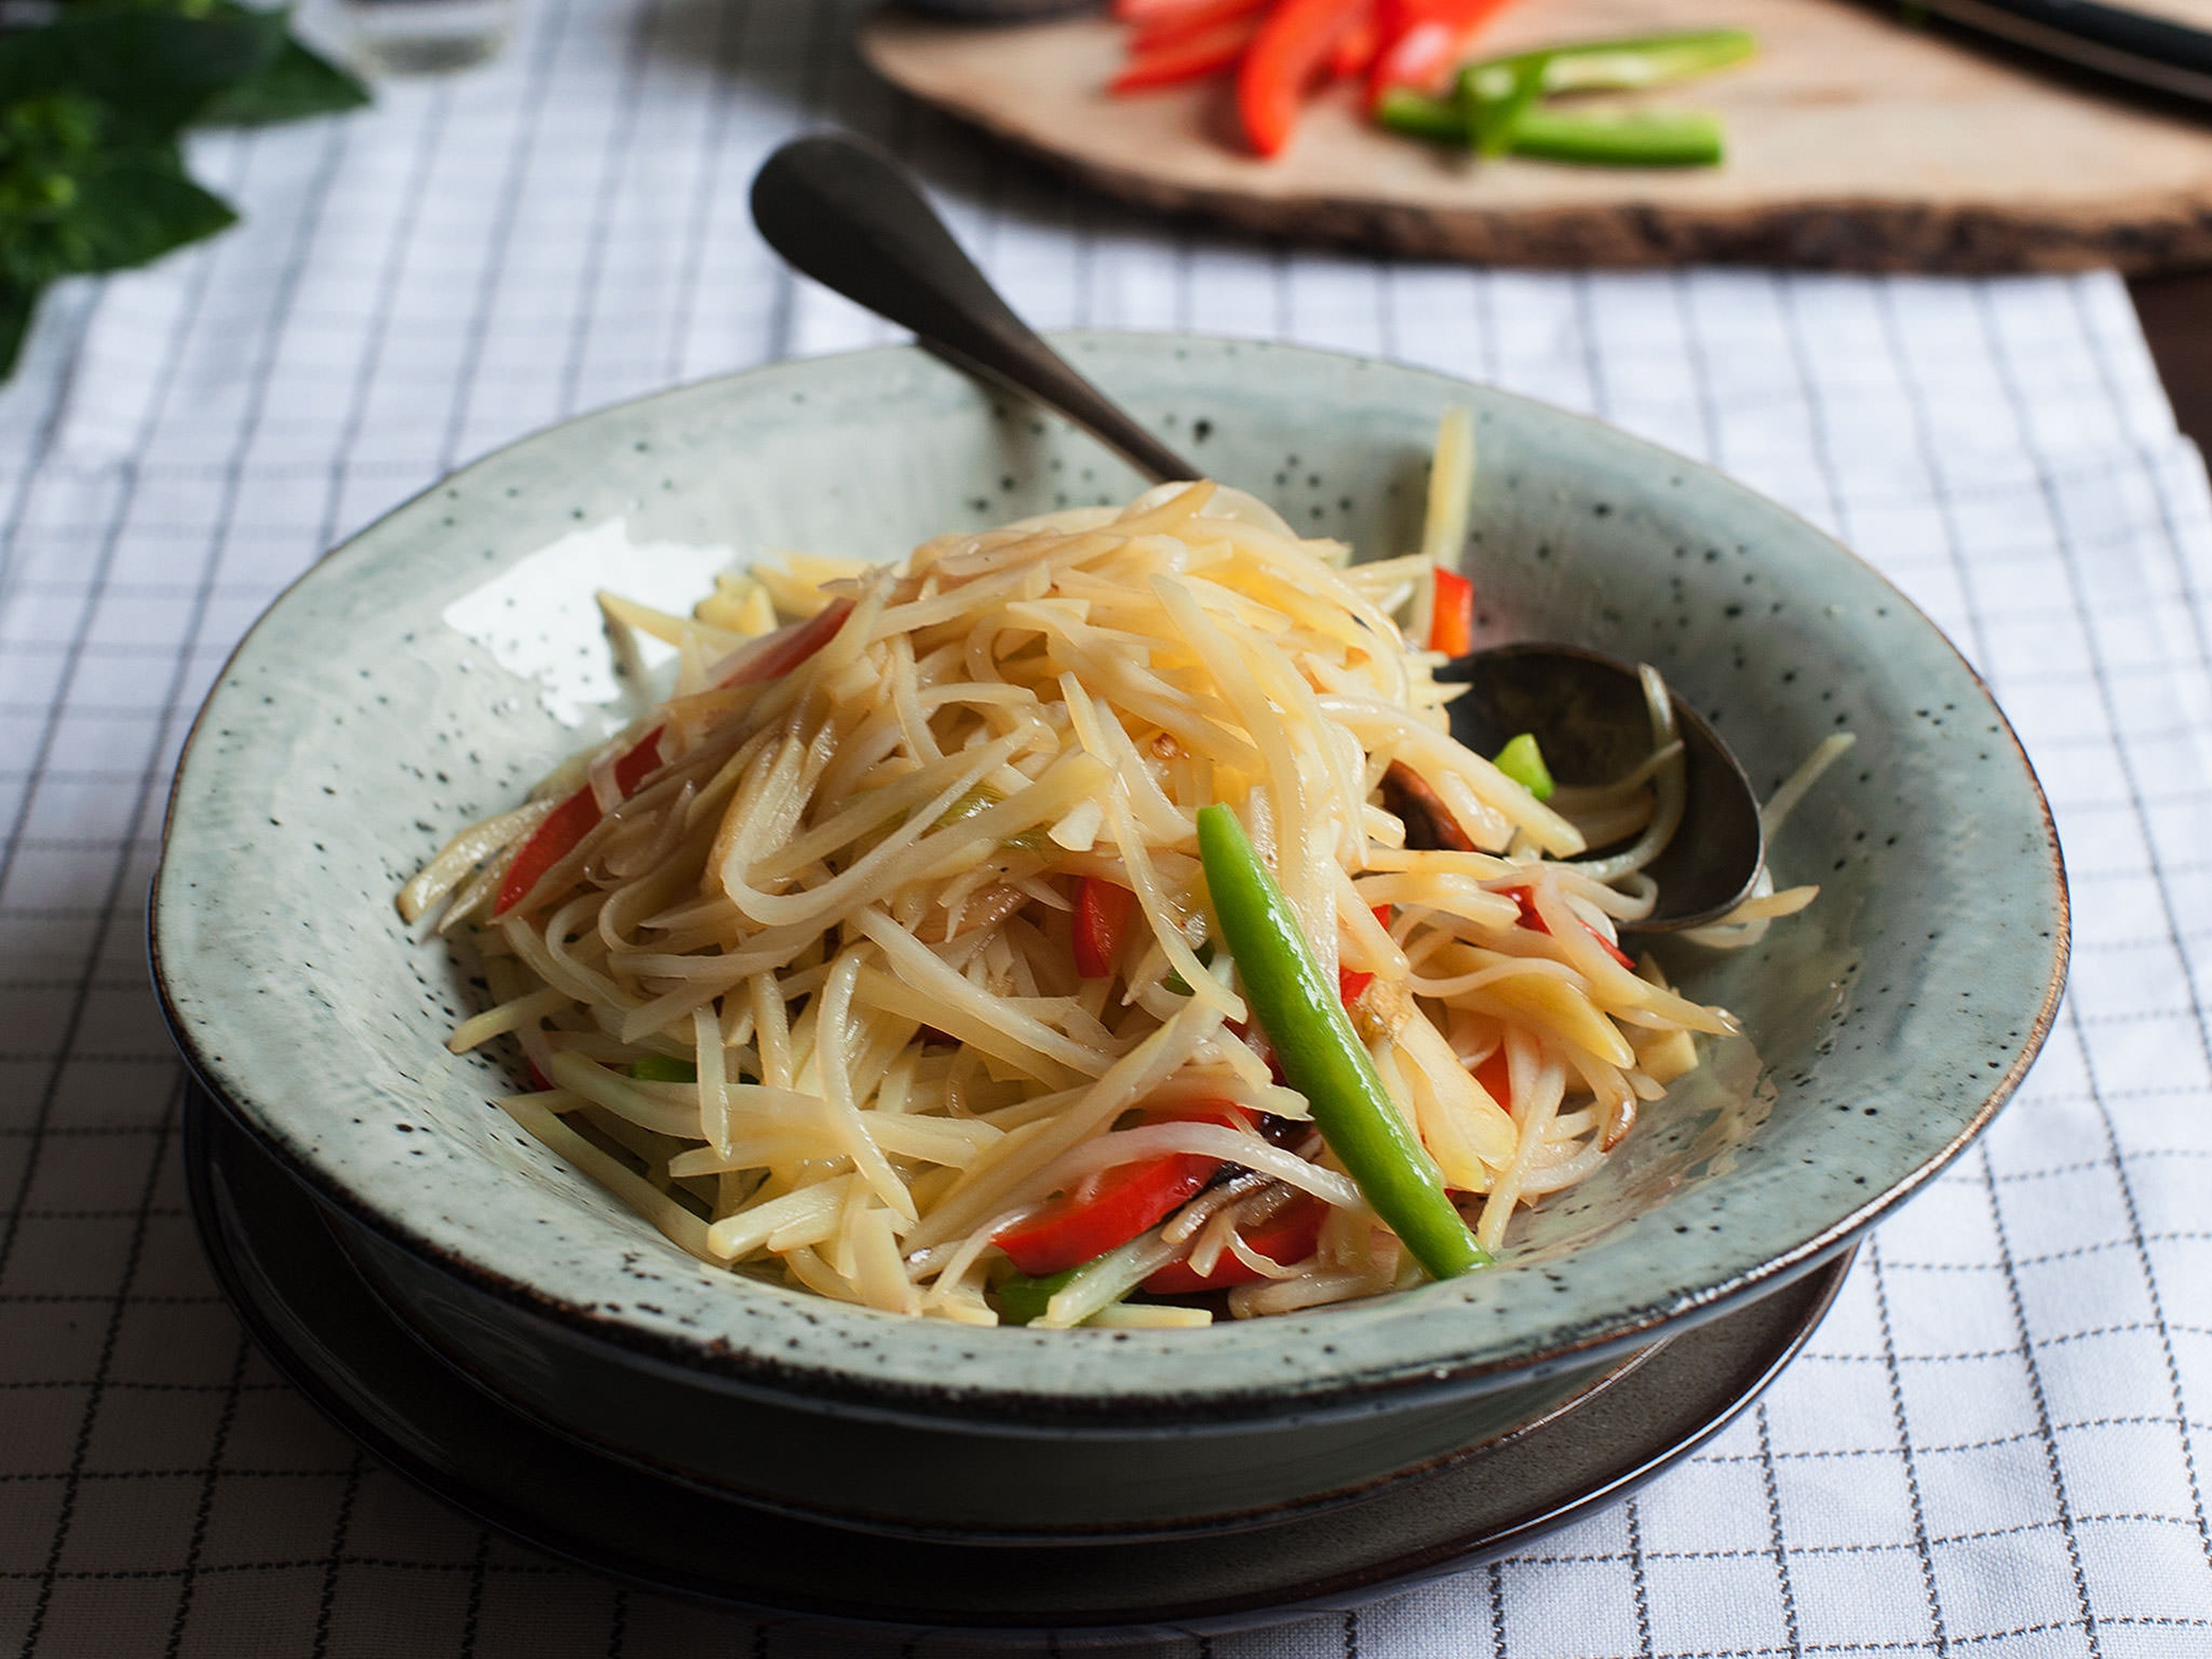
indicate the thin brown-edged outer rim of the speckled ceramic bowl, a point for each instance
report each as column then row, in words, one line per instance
column 1023, row 1410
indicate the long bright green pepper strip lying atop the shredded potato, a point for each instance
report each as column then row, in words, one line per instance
column 1322, row 1054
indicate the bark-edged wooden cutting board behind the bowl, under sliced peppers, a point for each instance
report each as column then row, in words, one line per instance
column 1855, row 143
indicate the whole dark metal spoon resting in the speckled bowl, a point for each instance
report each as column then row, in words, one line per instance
column 855, row 220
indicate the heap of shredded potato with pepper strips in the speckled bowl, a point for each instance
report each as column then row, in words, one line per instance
column 901, row 954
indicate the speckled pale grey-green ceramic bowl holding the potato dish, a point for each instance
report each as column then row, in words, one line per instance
column 435, row 667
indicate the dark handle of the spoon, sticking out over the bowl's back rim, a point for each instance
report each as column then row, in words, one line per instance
column 853, row 220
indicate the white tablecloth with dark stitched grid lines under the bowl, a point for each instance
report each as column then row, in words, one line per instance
column 1999, row 1446
